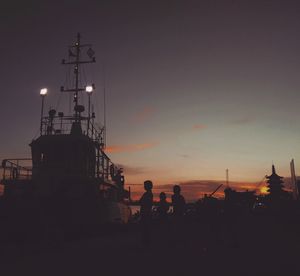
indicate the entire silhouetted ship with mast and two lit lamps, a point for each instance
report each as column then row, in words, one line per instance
column 69, row 182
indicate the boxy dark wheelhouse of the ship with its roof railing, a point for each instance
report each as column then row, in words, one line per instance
column 64, row 150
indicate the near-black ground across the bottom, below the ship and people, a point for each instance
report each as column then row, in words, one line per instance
column 252, row 245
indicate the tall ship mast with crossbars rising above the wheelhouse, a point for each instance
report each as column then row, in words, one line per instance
column 74, row 59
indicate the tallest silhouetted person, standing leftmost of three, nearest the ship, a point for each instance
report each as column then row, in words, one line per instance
column 146, row 202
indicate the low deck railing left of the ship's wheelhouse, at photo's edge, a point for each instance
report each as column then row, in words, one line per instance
column 19, row 168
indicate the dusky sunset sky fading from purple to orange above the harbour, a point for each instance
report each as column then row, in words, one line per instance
column 193, row 87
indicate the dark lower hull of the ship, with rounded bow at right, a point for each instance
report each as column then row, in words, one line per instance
column 65, row 213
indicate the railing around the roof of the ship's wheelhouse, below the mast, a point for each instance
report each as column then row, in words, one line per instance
column 62, row 125
